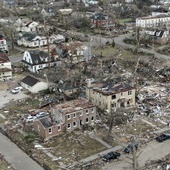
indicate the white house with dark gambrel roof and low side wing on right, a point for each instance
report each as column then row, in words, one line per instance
column 37, row 60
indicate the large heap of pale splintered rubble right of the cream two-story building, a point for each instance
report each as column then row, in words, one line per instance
column 153, row 101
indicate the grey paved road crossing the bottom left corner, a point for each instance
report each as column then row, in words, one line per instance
column 15, row 156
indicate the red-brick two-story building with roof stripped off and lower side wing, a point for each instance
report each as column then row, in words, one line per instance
column 66, row 117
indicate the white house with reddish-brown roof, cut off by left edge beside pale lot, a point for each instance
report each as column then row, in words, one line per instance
column 5, row 67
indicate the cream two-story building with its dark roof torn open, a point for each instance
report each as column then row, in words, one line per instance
column 110, row 96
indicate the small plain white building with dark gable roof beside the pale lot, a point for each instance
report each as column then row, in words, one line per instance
column 33, row 85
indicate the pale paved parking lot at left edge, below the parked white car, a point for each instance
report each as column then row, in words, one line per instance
column 7, row 96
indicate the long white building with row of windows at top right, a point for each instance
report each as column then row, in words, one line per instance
column 152, row 21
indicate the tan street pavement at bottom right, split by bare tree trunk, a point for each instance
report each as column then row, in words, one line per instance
column 152, row 151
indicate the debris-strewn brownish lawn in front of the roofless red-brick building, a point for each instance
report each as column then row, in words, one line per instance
column 71, row 150
